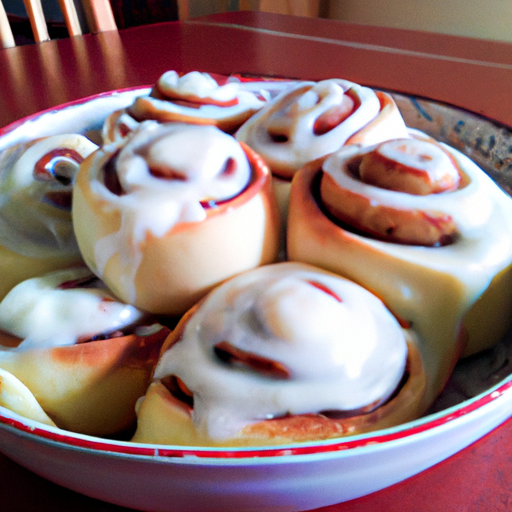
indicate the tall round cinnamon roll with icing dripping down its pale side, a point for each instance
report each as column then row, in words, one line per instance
column 172, row 211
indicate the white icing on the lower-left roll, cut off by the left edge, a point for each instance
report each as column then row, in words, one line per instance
column 44, row 314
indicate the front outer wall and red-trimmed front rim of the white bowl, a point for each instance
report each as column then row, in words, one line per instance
column 288, row 478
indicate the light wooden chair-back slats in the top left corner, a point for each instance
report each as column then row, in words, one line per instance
column 98, row 13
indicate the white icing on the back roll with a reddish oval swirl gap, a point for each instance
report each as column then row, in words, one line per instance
column 293, row 113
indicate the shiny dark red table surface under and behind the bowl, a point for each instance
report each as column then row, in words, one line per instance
column 469, row 73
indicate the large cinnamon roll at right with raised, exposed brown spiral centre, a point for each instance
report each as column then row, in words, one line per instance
column 424, row 228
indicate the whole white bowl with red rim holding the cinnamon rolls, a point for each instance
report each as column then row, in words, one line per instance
column 287, row 478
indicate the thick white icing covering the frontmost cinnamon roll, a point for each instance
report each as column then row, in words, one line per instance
column 343, row 350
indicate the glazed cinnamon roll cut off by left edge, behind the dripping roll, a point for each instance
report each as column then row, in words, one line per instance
column 36, row 233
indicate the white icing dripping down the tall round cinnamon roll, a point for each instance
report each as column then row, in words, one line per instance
column 195, row 158
